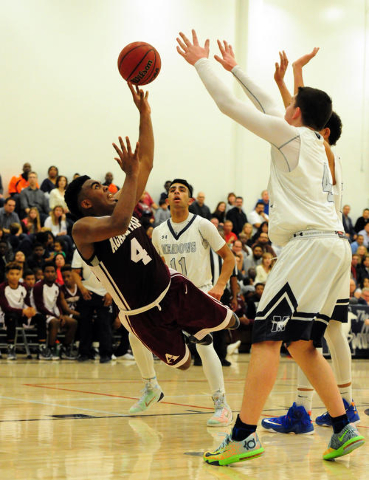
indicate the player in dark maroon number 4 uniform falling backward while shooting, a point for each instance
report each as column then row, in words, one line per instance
column 156, row 304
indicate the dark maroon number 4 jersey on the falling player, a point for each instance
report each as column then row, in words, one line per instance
column 130, row 269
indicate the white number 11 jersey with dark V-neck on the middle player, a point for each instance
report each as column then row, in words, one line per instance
column 186, row 247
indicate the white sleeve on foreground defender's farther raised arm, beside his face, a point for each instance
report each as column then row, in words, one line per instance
column 258, row 97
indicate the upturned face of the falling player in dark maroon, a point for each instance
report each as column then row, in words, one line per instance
column 98, row 197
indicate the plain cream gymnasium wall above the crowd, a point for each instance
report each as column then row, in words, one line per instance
column 63, row 101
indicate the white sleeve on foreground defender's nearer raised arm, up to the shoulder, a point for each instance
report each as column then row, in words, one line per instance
column 273, row 129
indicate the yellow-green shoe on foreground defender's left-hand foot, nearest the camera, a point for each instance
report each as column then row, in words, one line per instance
column 230, row 451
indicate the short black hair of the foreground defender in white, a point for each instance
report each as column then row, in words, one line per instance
column 315, row 106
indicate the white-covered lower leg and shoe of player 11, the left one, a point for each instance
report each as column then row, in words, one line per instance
column 152, row 392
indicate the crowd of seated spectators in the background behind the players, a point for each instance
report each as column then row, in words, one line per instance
column 36, row 248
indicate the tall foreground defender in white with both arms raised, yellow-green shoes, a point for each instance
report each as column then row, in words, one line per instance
column 311, row 276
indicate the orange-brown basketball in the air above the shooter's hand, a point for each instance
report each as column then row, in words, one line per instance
column 139, row 63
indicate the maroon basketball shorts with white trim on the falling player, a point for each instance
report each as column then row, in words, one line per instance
column 184, row 307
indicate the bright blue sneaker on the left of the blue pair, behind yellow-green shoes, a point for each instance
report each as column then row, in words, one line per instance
column 296, row 421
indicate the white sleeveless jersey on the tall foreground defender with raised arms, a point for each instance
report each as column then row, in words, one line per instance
column 304, row 198
